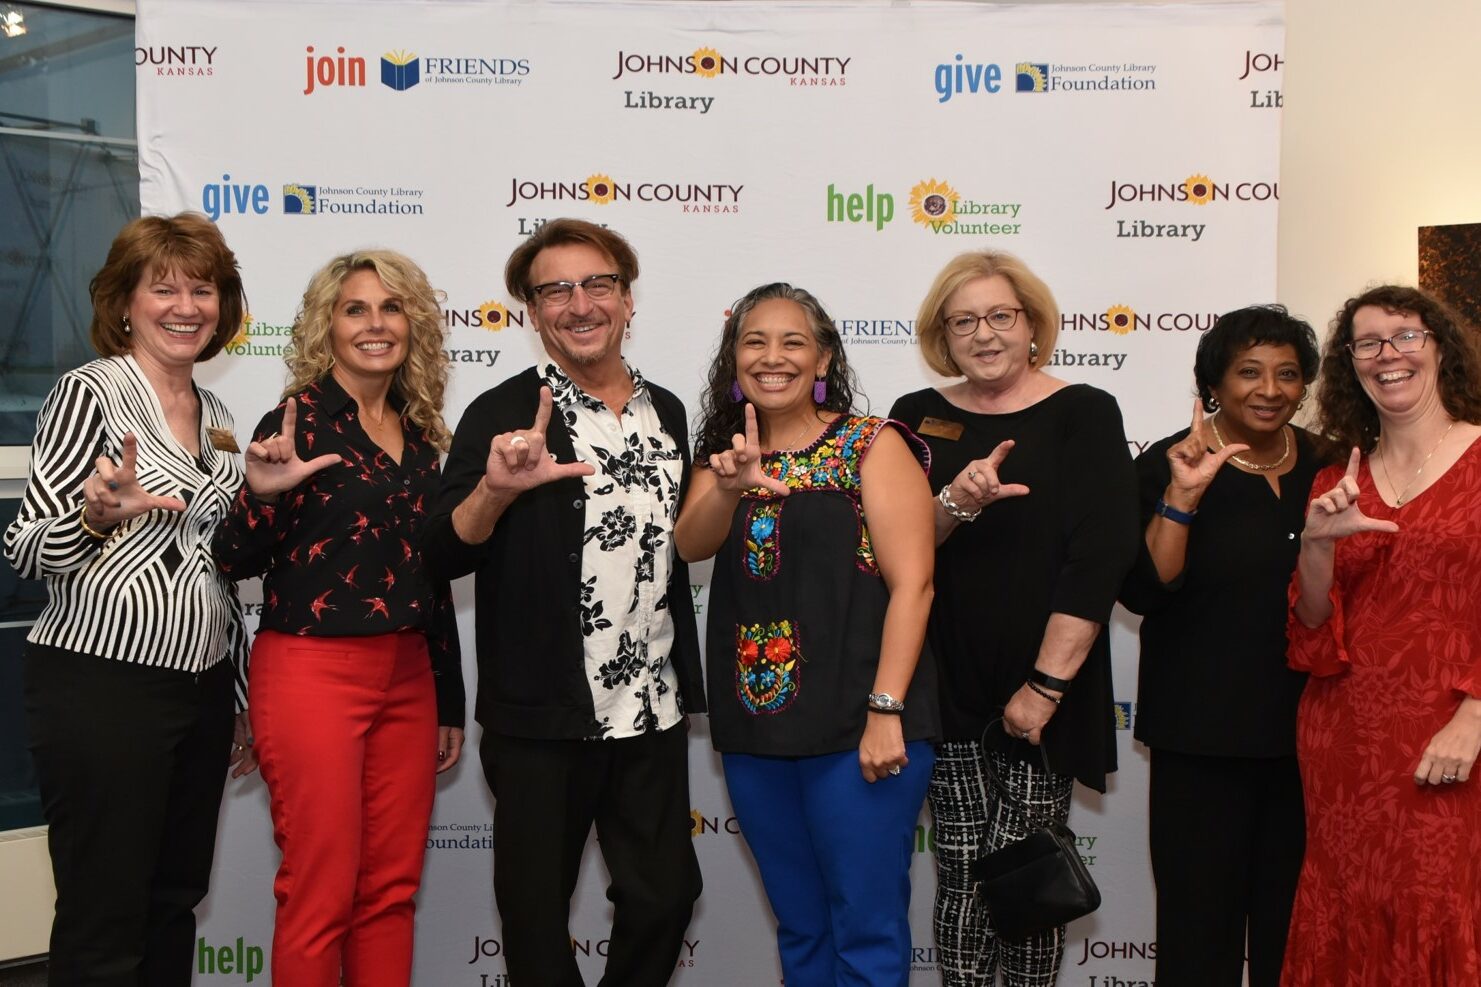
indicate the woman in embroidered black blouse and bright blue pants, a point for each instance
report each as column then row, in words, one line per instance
column 823, row 700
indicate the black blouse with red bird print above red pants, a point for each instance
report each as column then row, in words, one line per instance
column 340, row 555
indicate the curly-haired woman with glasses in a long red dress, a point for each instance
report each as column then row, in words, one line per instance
column 1387, row 617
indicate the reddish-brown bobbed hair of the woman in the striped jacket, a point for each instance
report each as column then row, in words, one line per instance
column 190, row 245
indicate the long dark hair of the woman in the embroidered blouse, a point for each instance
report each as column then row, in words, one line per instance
column 721, row 416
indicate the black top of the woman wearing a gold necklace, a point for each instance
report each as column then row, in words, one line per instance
column 1214, row 678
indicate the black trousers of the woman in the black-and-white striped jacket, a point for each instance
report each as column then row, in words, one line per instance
column 131, row 764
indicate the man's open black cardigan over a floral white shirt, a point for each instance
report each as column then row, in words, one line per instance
column 532, row 674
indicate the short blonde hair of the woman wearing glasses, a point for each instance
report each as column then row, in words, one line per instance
column 1039, row 306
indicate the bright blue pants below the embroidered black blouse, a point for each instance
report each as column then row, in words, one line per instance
column 835, row 854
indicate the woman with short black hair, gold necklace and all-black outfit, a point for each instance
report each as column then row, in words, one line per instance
column 1223, row 506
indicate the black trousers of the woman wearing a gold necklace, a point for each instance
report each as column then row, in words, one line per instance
column 1227, row 841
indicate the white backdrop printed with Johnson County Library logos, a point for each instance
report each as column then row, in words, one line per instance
column 1128, row 153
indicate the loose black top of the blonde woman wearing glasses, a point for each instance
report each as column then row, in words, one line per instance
column 1061, row 549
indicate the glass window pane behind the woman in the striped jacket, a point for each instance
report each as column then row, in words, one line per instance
column 69, row 182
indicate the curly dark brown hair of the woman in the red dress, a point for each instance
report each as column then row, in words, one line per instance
column 1344, row 411
